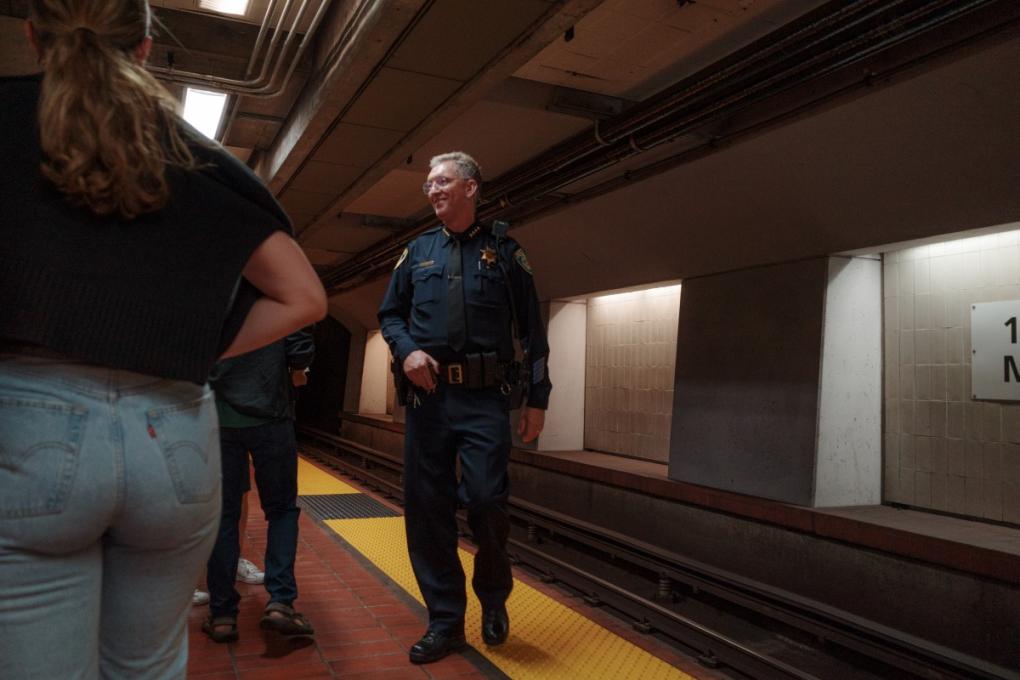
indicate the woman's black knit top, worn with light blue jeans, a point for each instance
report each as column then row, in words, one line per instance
column 157, row 295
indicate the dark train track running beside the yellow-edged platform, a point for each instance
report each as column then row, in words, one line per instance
column 728, row 622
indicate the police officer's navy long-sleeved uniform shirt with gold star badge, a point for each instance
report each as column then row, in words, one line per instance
column 414, row 315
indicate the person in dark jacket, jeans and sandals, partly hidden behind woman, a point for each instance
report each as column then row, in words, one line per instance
column 256, row 401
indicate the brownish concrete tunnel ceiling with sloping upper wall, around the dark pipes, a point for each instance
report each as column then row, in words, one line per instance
column 384, row 86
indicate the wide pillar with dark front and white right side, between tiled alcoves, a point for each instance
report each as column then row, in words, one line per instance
column 779, row 383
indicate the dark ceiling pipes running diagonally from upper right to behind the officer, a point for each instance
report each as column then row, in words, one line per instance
column 884, row 35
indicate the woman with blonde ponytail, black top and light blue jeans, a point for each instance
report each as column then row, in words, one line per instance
column 132, row 257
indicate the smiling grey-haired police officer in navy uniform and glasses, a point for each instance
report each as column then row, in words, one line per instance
column 457, row 295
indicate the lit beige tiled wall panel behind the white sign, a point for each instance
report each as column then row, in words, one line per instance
column 943, row 450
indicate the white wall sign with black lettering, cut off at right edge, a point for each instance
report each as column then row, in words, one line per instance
column 996, row 351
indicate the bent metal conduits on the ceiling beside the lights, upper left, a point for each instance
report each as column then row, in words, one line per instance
column 268, row 83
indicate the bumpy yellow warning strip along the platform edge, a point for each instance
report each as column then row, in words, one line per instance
column 547, row 639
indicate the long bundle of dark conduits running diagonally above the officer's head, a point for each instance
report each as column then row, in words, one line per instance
column 678, row 111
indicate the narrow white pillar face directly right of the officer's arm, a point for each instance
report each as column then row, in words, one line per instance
column 566, row 419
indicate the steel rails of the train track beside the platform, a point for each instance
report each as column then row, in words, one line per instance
column 864, row 638
